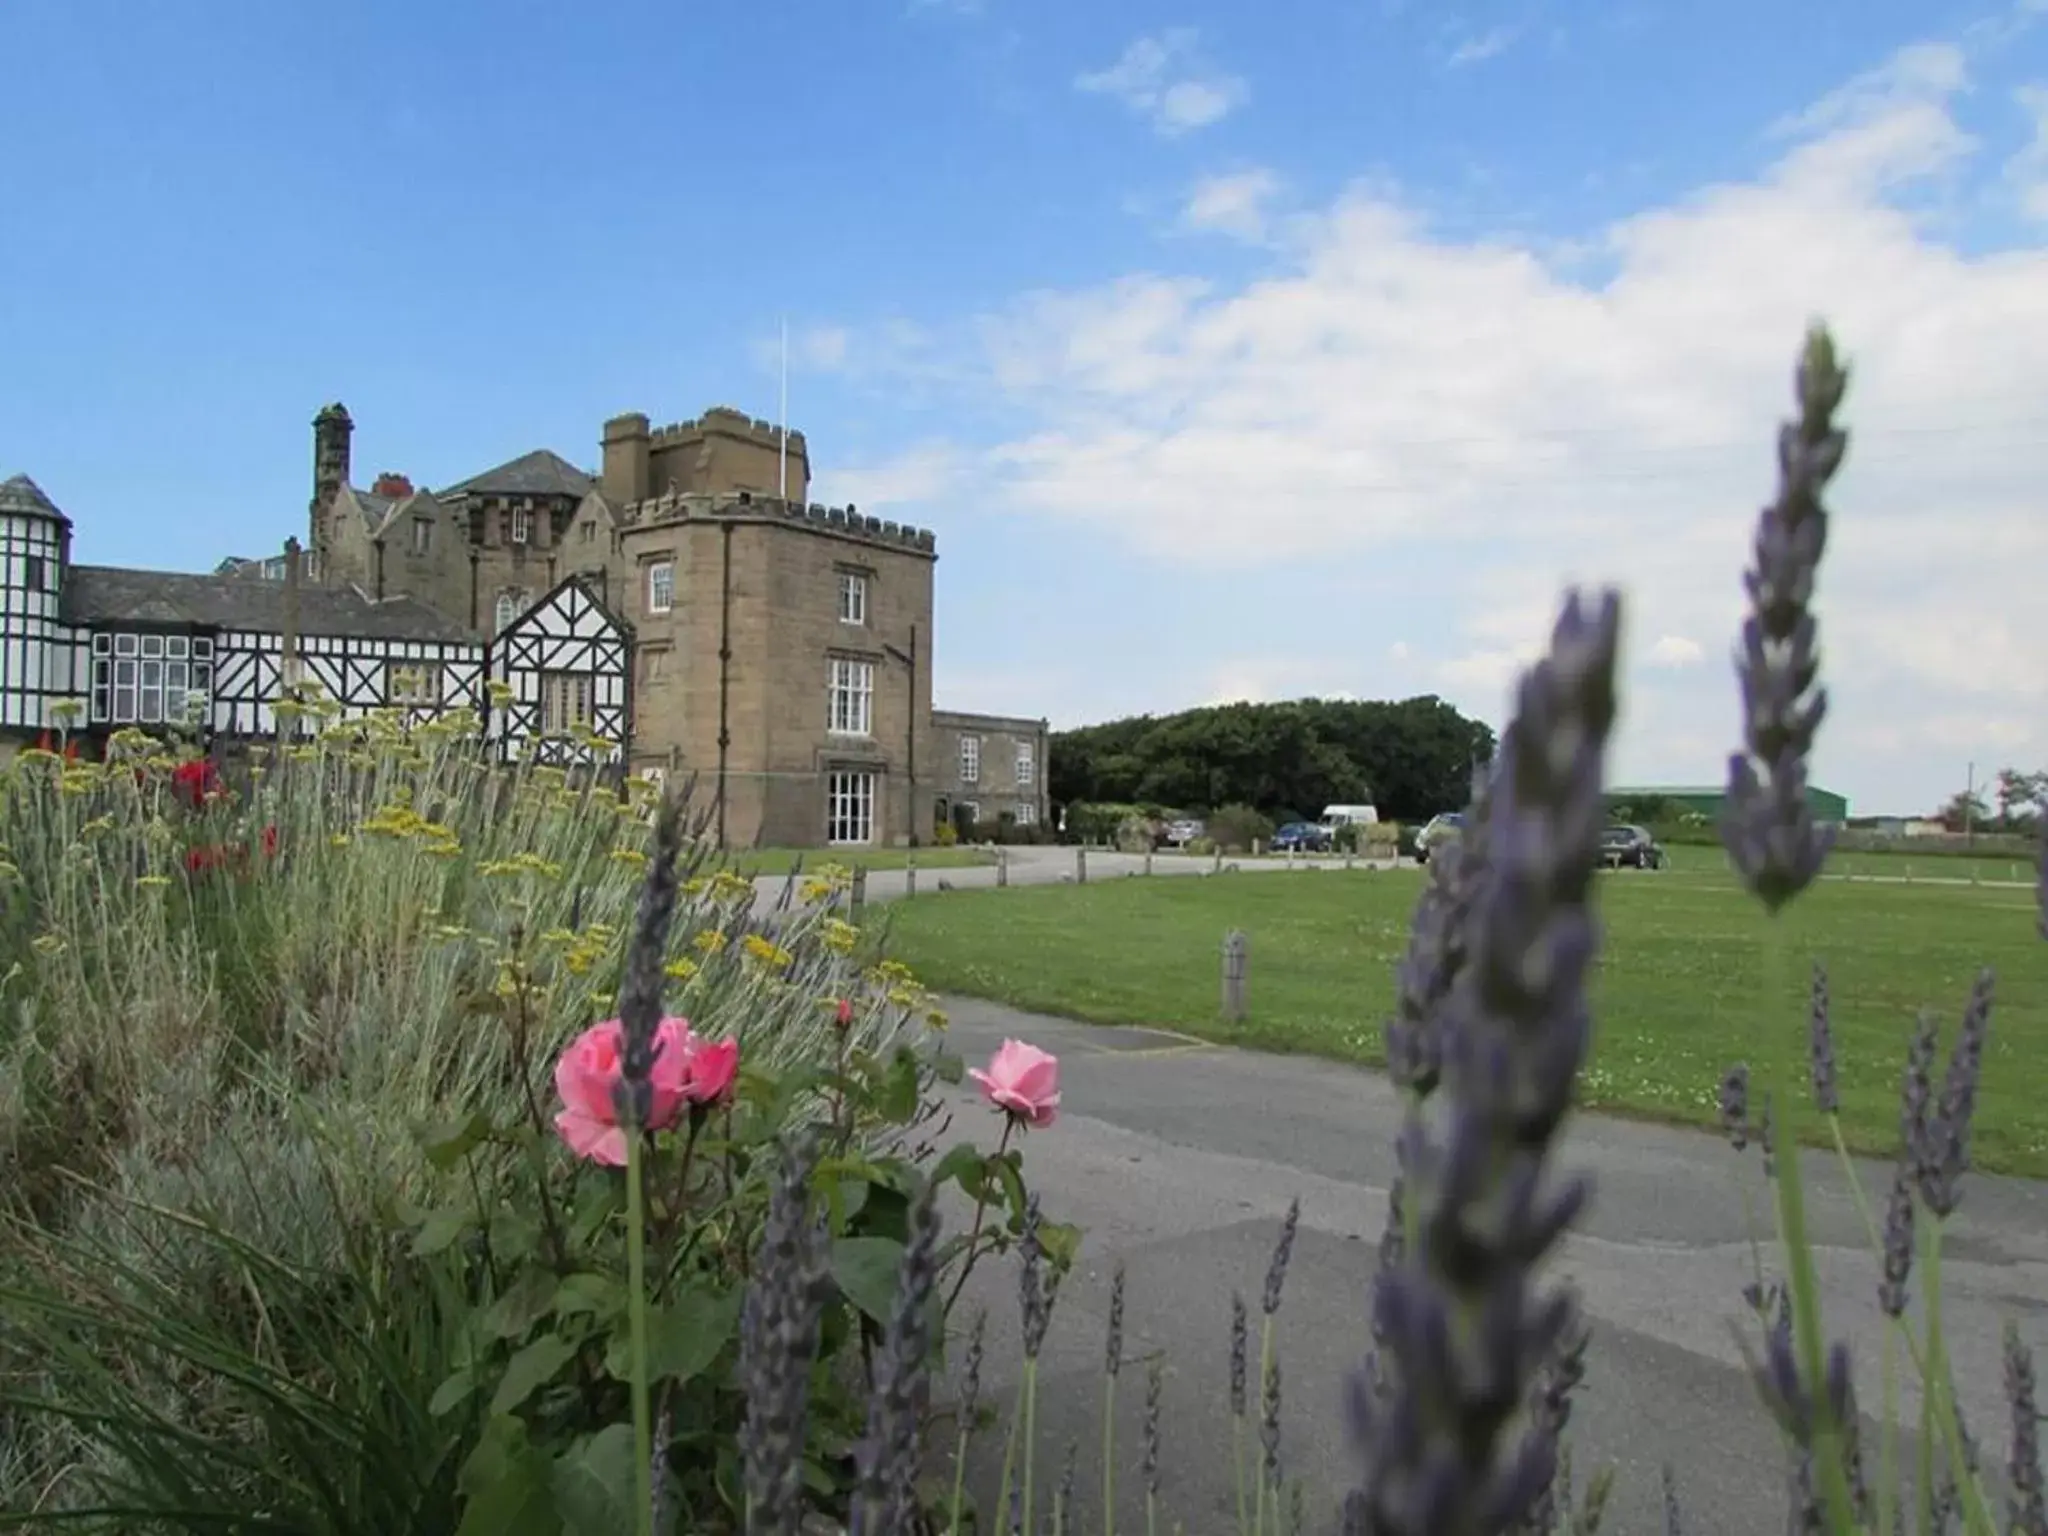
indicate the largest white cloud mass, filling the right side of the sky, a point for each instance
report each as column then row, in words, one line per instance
column 1506, row 425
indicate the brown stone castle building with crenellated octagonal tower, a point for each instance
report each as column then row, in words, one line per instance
column 779, row 652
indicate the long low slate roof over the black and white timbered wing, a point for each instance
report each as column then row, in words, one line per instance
column 101, row 595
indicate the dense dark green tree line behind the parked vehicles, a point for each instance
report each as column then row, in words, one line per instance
column 1410, row 759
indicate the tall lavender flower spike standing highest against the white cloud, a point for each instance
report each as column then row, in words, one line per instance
column 1768, row 826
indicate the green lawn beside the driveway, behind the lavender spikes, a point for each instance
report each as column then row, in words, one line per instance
column 1678, row 994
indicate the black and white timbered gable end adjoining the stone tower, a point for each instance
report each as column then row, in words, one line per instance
column 566, row 665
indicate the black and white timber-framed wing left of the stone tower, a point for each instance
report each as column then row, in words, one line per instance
column 93, row 648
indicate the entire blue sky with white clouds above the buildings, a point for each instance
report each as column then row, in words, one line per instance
column 1228, row 351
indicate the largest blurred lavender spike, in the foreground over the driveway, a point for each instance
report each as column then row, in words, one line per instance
column 1465, row 1322
